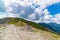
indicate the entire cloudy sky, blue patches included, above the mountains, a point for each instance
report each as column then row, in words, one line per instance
column 39, row 11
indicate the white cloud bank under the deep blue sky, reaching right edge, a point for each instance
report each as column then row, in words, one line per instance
column 47, row 18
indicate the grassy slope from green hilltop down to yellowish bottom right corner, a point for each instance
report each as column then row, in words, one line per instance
column 40, row 28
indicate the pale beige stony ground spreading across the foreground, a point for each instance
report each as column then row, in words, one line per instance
column 12, row 33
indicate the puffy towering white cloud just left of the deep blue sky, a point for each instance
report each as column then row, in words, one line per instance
column 46, row 17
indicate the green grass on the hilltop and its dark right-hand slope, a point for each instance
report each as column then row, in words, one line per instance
column 22, row 22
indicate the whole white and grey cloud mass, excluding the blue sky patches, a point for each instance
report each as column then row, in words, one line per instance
column 34, row 10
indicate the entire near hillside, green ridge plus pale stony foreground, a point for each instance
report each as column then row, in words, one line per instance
column 28, row 29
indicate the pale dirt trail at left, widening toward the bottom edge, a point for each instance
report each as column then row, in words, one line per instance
column 10, row 33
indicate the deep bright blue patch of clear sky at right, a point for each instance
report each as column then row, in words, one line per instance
column 54, row 9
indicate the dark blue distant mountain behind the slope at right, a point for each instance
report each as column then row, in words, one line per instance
column 52, row 26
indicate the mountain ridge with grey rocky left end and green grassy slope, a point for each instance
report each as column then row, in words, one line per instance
column 16, row 21
